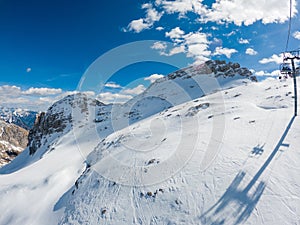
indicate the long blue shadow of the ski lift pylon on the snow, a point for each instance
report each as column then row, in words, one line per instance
column 241, row 201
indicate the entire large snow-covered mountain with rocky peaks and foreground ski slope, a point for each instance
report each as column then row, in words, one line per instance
column 205, row 145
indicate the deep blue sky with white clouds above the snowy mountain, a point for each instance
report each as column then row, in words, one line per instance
column 47, row 46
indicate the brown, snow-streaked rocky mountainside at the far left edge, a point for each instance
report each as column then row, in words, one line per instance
column 13, row 139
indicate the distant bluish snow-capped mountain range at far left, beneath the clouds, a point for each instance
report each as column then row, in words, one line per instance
column 20, row 117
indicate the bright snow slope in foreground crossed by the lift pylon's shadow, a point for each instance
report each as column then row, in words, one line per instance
column 152, row 172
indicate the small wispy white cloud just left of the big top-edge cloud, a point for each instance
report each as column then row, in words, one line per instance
column 152, row 16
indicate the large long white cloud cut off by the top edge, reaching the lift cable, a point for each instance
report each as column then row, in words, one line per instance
column 229, row 11
